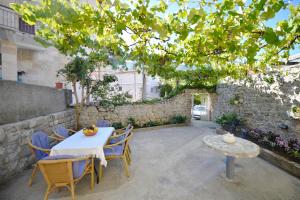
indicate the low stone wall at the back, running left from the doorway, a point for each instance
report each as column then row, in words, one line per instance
column 142, row 112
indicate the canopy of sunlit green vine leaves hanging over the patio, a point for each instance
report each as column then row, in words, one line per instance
column 212, row 40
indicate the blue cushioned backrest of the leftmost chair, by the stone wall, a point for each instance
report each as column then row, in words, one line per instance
column 40, row 139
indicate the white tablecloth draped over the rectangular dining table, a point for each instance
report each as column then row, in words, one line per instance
column 81, row 145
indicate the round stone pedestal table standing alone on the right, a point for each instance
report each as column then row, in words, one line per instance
column 240, row 149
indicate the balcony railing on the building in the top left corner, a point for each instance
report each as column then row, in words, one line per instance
column 11, row 20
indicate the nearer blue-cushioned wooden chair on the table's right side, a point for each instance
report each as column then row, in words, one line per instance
column 119, row 150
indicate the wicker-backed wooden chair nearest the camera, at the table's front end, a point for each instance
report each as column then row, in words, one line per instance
column 65, row 172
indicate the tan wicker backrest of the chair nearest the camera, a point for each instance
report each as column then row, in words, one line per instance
column 62, row 169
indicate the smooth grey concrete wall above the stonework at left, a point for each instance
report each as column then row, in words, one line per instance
column 23, row 101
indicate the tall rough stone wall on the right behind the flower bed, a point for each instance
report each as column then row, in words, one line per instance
column 264, row 102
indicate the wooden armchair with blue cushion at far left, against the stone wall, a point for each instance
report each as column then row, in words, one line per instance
column 40, row 148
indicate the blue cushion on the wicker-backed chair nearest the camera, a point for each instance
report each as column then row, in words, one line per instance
column 78, row 166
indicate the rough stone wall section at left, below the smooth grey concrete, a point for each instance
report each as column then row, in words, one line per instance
column 15, row 154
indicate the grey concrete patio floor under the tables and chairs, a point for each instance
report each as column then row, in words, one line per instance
column 172, row 163
